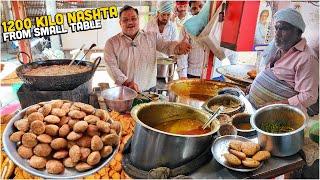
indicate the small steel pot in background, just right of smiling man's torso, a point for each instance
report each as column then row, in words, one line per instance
column 165, row 67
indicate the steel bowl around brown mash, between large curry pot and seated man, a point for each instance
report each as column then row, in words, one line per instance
column 219, row 99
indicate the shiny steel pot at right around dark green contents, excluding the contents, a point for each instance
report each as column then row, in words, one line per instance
column 283, row 144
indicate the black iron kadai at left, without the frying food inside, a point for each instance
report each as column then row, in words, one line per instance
column 49, row 83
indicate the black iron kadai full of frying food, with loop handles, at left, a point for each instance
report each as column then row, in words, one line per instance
column 56, row 74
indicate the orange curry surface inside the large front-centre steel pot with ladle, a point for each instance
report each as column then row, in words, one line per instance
column 183, row 127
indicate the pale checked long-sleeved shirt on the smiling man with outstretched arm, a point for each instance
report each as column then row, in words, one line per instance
column 135, row 60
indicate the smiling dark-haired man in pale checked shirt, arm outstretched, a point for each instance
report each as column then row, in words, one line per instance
column 131, row 54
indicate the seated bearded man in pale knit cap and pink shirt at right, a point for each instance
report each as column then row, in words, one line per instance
column 292, row 72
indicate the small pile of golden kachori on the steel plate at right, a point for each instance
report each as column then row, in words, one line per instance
column 246, row 153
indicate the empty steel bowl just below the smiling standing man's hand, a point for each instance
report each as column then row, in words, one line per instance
column 119, row 98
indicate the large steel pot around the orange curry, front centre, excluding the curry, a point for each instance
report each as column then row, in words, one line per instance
column 151, row 148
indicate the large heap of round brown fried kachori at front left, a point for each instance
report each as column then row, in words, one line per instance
column 58, row 134
